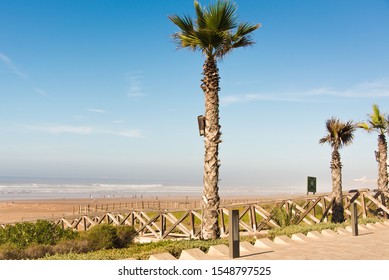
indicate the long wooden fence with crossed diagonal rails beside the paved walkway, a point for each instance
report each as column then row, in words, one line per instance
column 254, row 217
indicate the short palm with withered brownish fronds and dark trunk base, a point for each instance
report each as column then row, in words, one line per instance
column 339, row 134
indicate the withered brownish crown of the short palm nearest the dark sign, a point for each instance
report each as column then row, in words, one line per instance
column 339, row 133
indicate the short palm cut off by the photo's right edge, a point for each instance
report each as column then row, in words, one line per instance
column 378, row 123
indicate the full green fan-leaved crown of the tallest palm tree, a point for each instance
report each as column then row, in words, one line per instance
column 214, row 31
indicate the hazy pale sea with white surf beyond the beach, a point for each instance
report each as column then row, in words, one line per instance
column 15, row 188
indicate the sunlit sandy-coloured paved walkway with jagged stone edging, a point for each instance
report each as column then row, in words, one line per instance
column 372, row 243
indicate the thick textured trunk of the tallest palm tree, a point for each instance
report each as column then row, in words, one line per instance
column 210, row 199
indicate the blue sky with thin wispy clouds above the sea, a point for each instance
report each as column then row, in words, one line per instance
column 97, row 89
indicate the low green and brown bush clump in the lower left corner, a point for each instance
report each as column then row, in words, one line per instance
column 42, row 239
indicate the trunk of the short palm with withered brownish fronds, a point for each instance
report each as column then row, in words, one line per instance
column 336, row 172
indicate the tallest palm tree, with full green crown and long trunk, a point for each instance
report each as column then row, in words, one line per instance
column 215, row 32
